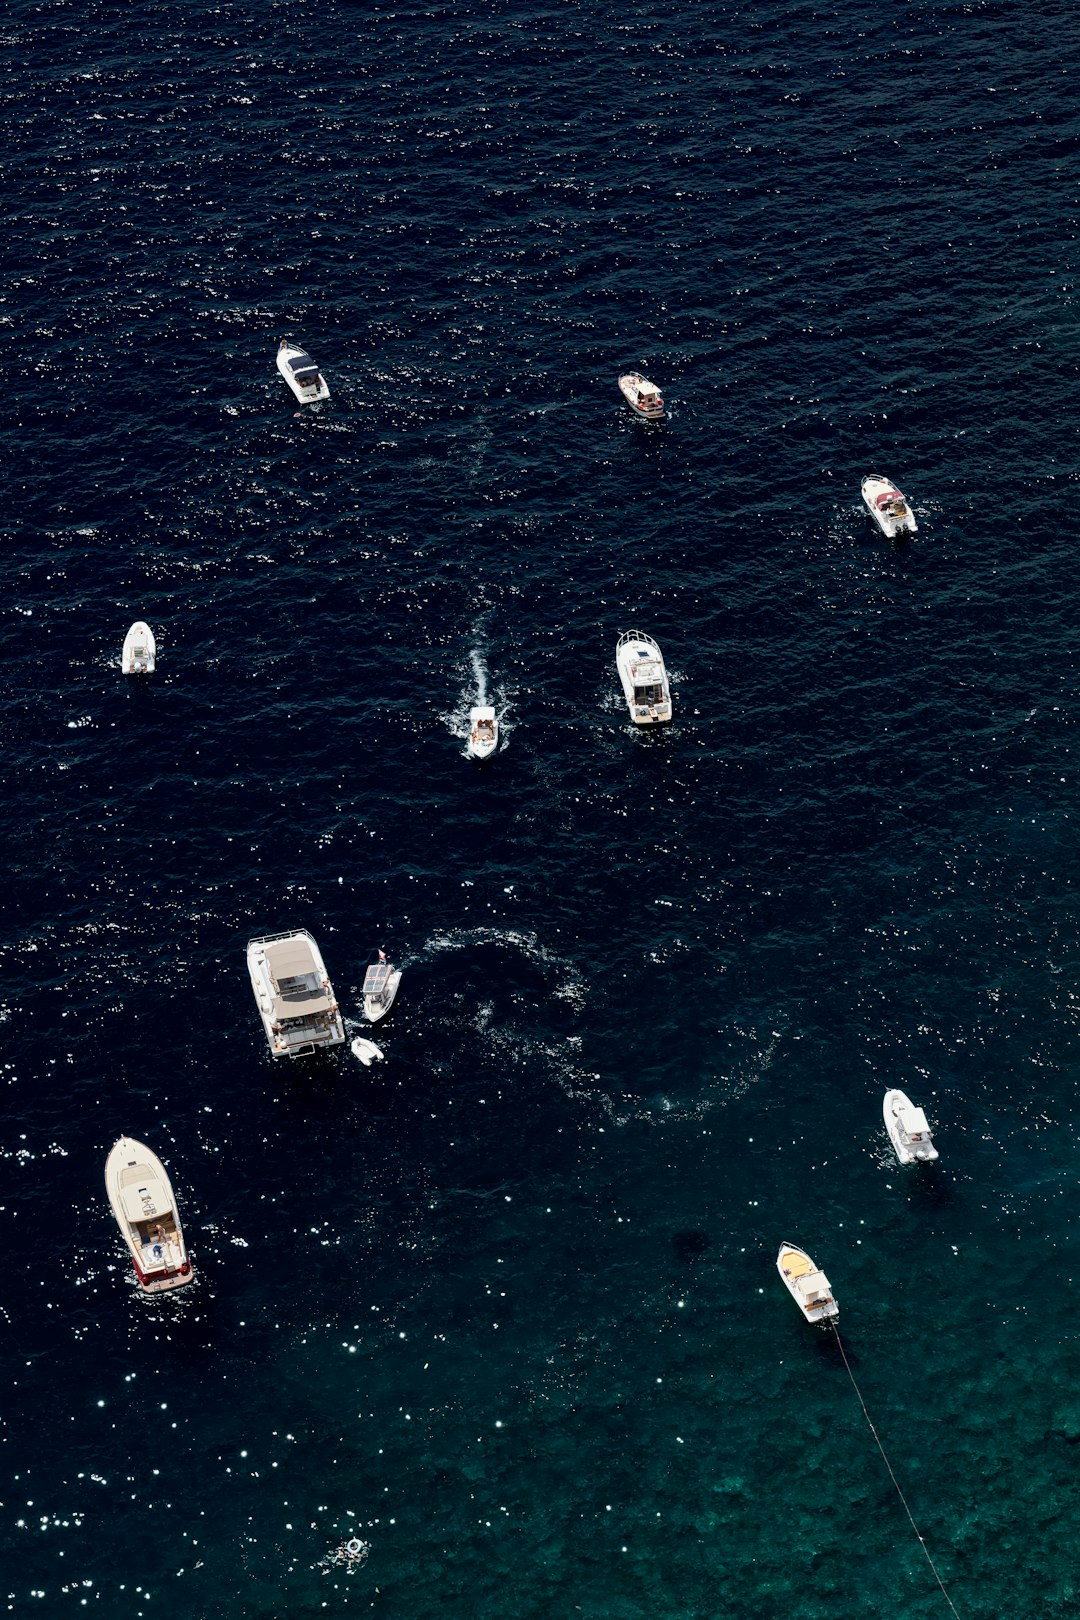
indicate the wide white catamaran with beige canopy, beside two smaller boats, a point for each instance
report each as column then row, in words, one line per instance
column 294, row 994
